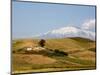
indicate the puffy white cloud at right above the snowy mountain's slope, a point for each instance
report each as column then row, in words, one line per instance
column 89, row 25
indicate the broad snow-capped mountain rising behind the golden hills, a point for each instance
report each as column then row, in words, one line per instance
column 68, row 32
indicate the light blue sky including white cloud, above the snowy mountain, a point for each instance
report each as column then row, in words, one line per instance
column 30, row 19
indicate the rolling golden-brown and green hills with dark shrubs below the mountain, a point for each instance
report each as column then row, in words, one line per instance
column 57, row 55
